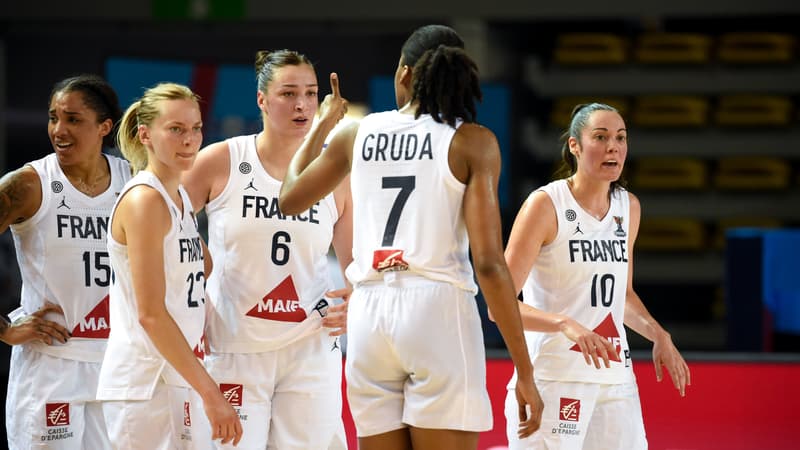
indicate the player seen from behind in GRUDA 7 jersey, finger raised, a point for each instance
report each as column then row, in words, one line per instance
column 424, row 181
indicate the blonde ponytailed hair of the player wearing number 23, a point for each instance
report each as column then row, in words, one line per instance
column 143, row 112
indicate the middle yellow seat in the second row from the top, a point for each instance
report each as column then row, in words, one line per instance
column 670, row 111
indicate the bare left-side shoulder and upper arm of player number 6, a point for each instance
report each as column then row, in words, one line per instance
column 208, row 176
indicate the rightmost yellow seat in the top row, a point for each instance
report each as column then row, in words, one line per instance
column 756, row 48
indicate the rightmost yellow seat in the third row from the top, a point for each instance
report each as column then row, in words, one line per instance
column 752, row 172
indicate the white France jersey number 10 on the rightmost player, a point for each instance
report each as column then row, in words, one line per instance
column 582, row 274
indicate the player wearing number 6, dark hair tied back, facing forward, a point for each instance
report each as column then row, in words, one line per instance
column 270, row 289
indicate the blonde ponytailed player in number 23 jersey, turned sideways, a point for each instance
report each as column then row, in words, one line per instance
column 157, row 297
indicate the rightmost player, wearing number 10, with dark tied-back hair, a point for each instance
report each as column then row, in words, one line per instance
column 571, row 252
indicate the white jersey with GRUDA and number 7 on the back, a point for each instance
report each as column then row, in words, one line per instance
column 407, row 205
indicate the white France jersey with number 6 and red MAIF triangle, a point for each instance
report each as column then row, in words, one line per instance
column 270, row 270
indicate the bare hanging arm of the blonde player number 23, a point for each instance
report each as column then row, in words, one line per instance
column 141, row 221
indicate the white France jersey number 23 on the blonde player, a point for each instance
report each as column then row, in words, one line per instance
column 132, row 364
